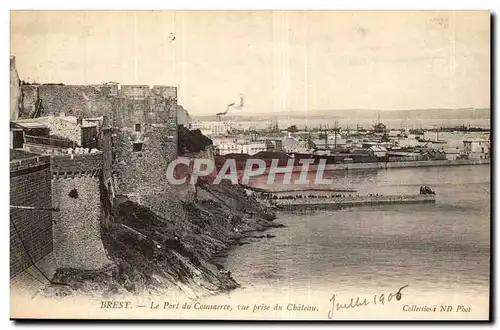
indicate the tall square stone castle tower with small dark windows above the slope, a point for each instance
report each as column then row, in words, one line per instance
column 144, row 143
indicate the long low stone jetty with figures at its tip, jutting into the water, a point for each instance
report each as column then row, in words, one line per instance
column 348, row 201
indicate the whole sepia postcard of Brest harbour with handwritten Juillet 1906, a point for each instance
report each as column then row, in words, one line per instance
column 250, row 165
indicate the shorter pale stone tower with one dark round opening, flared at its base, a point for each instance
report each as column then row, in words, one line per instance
column 76, row 228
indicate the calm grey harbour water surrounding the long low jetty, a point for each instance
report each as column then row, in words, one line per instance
column 437, row 248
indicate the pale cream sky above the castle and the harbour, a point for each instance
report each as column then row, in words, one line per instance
column 280, row 61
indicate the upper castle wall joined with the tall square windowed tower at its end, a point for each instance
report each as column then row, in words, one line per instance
column 137, row 114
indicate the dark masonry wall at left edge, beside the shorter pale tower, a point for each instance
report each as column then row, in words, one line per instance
column 29, row 186
